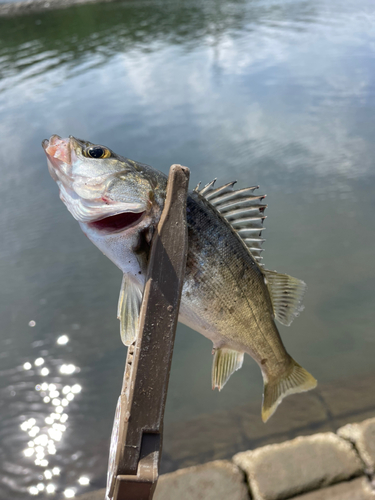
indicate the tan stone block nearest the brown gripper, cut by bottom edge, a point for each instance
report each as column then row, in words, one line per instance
column 219, row 480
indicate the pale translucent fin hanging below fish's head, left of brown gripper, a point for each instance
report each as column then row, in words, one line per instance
column 129, row 305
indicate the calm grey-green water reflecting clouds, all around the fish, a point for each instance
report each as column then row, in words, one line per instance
column 273, row 92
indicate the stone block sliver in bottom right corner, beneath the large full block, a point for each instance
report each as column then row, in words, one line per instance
column 358, row 489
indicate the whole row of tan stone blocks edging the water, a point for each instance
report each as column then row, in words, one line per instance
column 324, row 466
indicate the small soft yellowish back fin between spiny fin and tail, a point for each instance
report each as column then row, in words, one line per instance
column 286, row 294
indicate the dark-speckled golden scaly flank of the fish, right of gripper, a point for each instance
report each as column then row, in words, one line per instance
column 226, row 277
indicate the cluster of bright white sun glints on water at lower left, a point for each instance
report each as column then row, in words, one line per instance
column 47, row 432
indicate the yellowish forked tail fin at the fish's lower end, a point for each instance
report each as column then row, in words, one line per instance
column 296, row 379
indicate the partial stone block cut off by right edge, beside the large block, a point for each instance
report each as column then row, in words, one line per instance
column 362, row 435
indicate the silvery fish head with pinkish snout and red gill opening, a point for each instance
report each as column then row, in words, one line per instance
column 118, row 202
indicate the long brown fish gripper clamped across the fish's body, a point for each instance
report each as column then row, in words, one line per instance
column 136, row 442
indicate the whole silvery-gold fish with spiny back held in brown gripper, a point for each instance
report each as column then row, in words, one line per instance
column 228, row 296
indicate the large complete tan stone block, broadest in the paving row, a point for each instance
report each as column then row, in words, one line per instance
column 280, row 471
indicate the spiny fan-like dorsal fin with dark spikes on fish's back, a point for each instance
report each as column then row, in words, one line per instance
column 242, row 209
